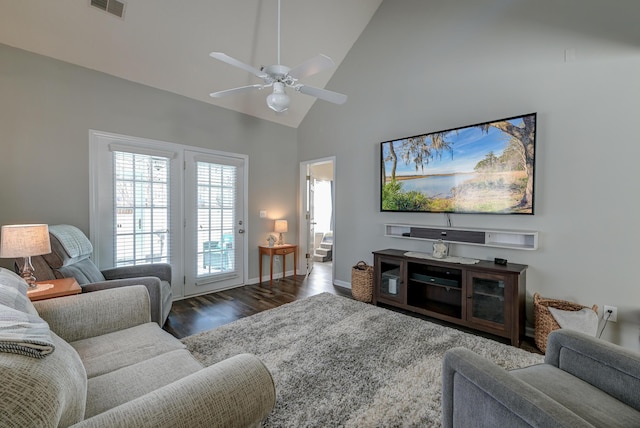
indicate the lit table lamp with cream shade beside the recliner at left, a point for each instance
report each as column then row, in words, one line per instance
column 25, row 240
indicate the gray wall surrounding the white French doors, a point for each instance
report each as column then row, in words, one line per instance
column 47, row 108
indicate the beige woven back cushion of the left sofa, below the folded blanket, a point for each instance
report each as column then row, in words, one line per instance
column 48, row 392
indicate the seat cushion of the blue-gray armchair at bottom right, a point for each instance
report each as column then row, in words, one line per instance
column 582, row 398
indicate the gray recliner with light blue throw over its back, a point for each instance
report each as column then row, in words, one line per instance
column 70, row 257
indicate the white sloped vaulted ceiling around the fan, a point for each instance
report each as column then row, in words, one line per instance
column 165, row 44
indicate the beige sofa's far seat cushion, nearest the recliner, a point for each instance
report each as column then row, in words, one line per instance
column 113, row 351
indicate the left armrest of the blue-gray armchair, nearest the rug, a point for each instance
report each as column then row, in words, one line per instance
column 477, row 392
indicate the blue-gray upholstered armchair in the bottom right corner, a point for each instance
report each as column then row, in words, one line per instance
column 584, row 382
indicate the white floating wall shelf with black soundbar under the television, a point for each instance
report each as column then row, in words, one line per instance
column 500, row 238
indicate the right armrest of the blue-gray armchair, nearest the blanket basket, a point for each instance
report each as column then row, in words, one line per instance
column 609, row 367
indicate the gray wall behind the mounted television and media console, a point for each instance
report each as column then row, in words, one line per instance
column 427, row 66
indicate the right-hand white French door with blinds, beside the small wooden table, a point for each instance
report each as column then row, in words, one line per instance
column 215, row 223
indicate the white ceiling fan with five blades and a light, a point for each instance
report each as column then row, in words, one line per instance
column 281, row 77
